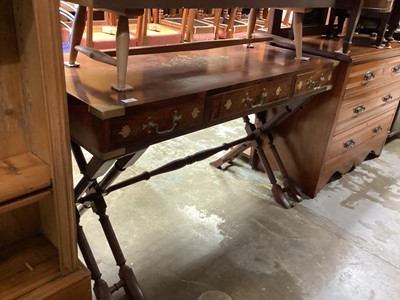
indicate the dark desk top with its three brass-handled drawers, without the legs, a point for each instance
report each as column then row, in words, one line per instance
column 180, row 92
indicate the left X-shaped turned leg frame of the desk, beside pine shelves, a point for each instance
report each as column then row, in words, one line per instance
column 87, row 185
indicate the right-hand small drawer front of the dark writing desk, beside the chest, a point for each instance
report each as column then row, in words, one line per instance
column 312, row 81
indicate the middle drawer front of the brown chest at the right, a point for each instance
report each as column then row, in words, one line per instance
column 358, row 109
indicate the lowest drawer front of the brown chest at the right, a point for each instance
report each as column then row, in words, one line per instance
column 354, row 138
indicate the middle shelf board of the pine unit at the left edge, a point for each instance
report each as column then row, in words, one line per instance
column 22, row 174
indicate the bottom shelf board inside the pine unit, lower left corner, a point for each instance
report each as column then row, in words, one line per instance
column 30, row 263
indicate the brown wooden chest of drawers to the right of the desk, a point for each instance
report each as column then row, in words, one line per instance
column 345, row 125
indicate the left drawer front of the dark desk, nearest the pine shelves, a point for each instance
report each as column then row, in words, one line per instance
column 159, row 122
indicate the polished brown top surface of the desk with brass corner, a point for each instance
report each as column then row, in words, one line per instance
column 160, row 77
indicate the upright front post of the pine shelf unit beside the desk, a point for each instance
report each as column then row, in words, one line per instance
column 60, row 222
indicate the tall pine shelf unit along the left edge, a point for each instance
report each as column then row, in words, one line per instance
column 38, row 252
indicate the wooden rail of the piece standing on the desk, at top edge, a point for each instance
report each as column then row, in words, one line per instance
column 131, row 4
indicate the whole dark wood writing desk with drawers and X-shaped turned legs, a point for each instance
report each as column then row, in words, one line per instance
column 177, row 93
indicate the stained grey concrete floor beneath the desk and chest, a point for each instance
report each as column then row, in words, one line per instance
column 203, row 233
